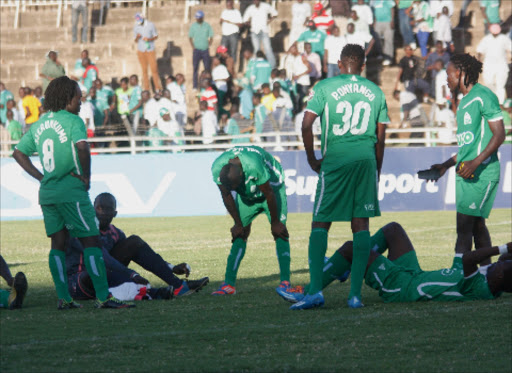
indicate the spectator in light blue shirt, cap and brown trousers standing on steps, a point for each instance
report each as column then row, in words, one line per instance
column 200, row 36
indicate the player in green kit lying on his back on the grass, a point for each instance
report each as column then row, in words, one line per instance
column 399, row 278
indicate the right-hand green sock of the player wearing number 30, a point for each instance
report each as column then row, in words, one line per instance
column 361, row 253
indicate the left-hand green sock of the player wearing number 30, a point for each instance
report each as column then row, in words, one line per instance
column 316, row 253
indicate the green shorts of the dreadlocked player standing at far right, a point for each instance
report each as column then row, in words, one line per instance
column 475, row 198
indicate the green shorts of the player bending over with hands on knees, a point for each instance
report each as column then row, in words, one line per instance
column 249, row 211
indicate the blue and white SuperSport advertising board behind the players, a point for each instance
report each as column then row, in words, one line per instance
column 181, row 185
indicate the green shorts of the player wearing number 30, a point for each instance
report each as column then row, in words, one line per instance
column 347, row 192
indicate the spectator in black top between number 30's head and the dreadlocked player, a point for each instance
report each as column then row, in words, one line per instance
column 410, row 72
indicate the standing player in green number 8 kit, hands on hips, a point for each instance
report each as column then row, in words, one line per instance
column 60, row 139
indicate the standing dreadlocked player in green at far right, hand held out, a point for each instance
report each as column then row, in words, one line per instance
column 480, row 132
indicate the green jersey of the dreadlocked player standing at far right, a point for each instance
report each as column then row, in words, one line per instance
column 479, row 107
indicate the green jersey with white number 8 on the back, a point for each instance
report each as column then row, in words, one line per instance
column 54, row 137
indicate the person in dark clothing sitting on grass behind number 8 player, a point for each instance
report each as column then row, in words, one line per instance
column 118, row 252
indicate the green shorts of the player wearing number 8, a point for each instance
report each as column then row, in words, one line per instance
column 79, row 218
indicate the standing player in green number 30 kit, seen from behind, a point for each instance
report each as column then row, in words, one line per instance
column 353, row 115
